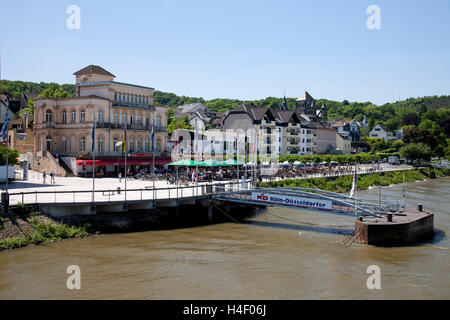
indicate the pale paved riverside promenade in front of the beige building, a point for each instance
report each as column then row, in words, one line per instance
column 79, row 190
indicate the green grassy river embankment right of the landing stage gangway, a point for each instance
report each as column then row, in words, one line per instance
column 344, row 183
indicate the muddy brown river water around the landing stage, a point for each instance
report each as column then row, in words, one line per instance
column 279, row 254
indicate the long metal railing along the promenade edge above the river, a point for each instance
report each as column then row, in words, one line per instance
column 132, row 195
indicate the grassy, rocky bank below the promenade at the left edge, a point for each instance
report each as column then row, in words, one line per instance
column 23, row 228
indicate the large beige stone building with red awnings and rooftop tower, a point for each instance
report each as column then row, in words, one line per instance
column 63, row 127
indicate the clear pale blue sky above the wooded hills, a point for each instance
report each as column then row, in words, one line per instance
column 245, row 49
